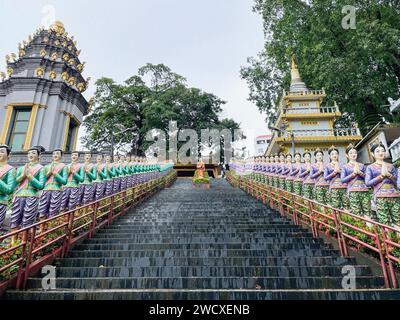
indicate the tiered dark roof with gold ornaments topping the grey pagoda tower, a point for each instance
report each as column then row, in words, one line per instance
column 48, row 59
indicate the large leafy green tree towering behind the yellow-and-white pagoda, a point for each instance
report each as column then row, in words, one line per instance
column 359, row 68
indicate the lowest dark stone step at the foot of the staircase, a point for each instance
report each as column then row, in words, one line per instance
column 201, row 294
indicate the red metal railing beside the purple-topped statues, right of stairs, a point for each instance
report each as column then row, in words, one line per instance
column 350, row 230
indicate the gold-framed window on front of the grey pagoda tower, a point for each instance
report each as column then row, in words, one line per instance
column 19, row 128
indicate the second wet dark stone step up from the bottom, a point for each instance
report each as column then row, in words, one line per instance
column 208, row 283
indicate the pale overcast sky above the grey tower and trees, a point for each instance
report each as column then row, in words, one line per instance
column 204, row 40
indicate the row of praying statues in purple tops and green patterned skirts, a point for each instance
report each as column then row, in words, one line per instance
column 352, row 186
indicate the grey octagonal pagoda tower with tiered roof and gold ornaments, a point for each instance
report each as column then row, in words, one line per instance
column 41, row 101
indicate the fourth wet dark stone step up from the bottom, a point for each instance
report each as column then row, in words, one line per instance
column 206, row 261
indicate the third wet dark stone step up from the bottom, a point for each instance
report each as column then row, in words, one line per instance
column 206, row 271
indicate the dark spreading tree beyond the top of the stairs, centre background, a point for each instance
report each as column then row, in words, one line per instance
column 149, row 100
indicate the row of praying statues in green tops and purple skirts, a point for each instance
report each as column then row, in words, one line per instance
column 37, row 191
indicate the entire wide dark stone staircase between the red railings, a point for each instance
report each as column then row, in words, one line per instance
column 220, row 243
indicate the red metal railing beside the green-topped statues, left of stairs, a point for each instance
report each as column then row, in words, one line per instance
column 24, row 252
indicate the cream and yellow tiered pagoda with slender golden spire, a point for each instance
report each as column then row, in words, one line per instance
column 304, row 123
